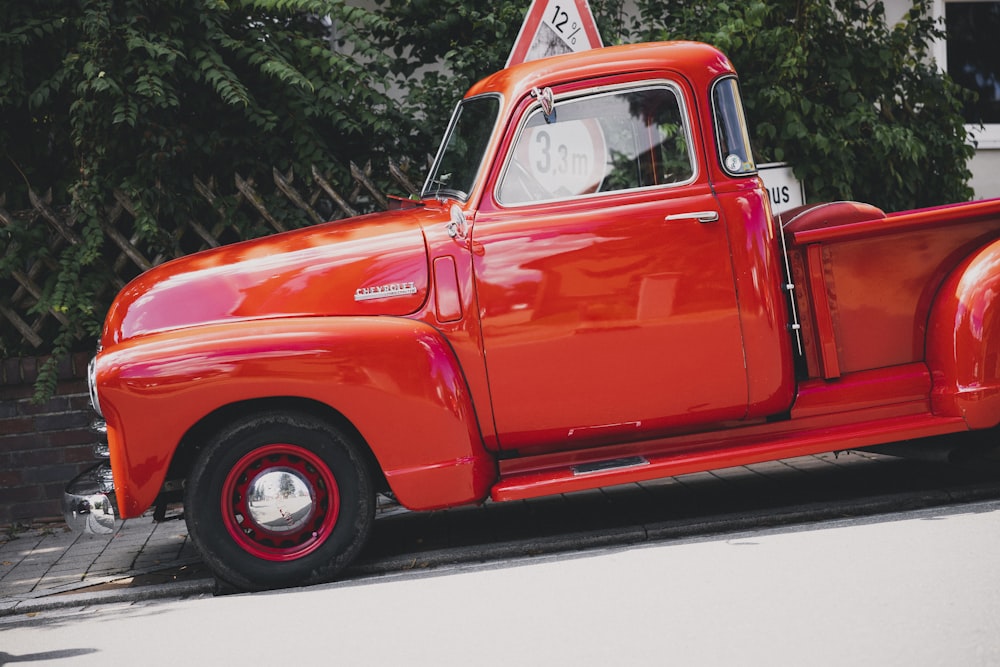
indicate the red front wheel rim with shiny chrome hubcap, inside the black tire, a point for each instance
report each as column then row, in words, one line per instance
column 280, row 502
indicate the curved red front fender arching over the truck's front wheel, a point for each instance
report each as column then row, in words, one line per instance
column 396, row 380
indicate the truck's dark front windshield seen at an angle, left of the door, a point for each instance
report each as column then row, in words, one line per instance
column 461, row 154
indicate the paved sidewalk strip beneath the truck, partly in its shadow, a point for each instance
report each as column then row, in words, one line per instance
column 49, row 566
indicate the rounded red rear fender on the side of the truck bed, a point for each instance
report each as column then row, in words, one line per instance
column 963, row 341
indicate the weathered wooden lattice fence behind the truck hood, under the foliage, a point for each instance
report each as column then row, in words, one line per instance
column 26, row 329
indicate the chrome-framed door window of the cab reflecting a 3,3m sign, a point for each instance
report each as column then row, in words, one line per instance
column 601, row 143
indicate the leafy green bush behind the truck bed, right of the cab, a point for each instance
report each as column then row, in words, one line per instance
column 855, row 104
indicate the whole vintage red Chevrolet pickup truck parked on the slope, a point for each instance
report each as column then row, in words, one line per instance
column 591, row 291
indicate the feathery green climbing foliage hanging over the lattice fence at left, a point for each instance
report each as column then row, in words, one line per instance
column 139, row 96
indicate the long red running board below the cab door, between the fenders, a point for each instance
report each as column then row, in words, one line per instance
column 577, row 475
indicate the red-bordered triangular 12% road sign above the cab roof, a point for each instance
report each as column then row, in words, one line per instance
column 552, row 27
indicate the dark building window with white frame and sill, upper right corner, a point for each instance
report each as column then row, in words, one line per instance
column 971, row 56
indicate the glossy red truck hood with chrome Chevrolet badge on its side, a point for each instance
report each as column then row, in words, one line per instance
column 371, row 265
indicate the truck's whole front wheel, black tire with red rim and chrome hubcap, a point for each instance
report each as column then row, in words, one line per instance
column 255, row 541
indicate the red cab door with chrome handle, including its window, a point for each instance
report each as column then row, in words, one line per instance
column 604, row 280
